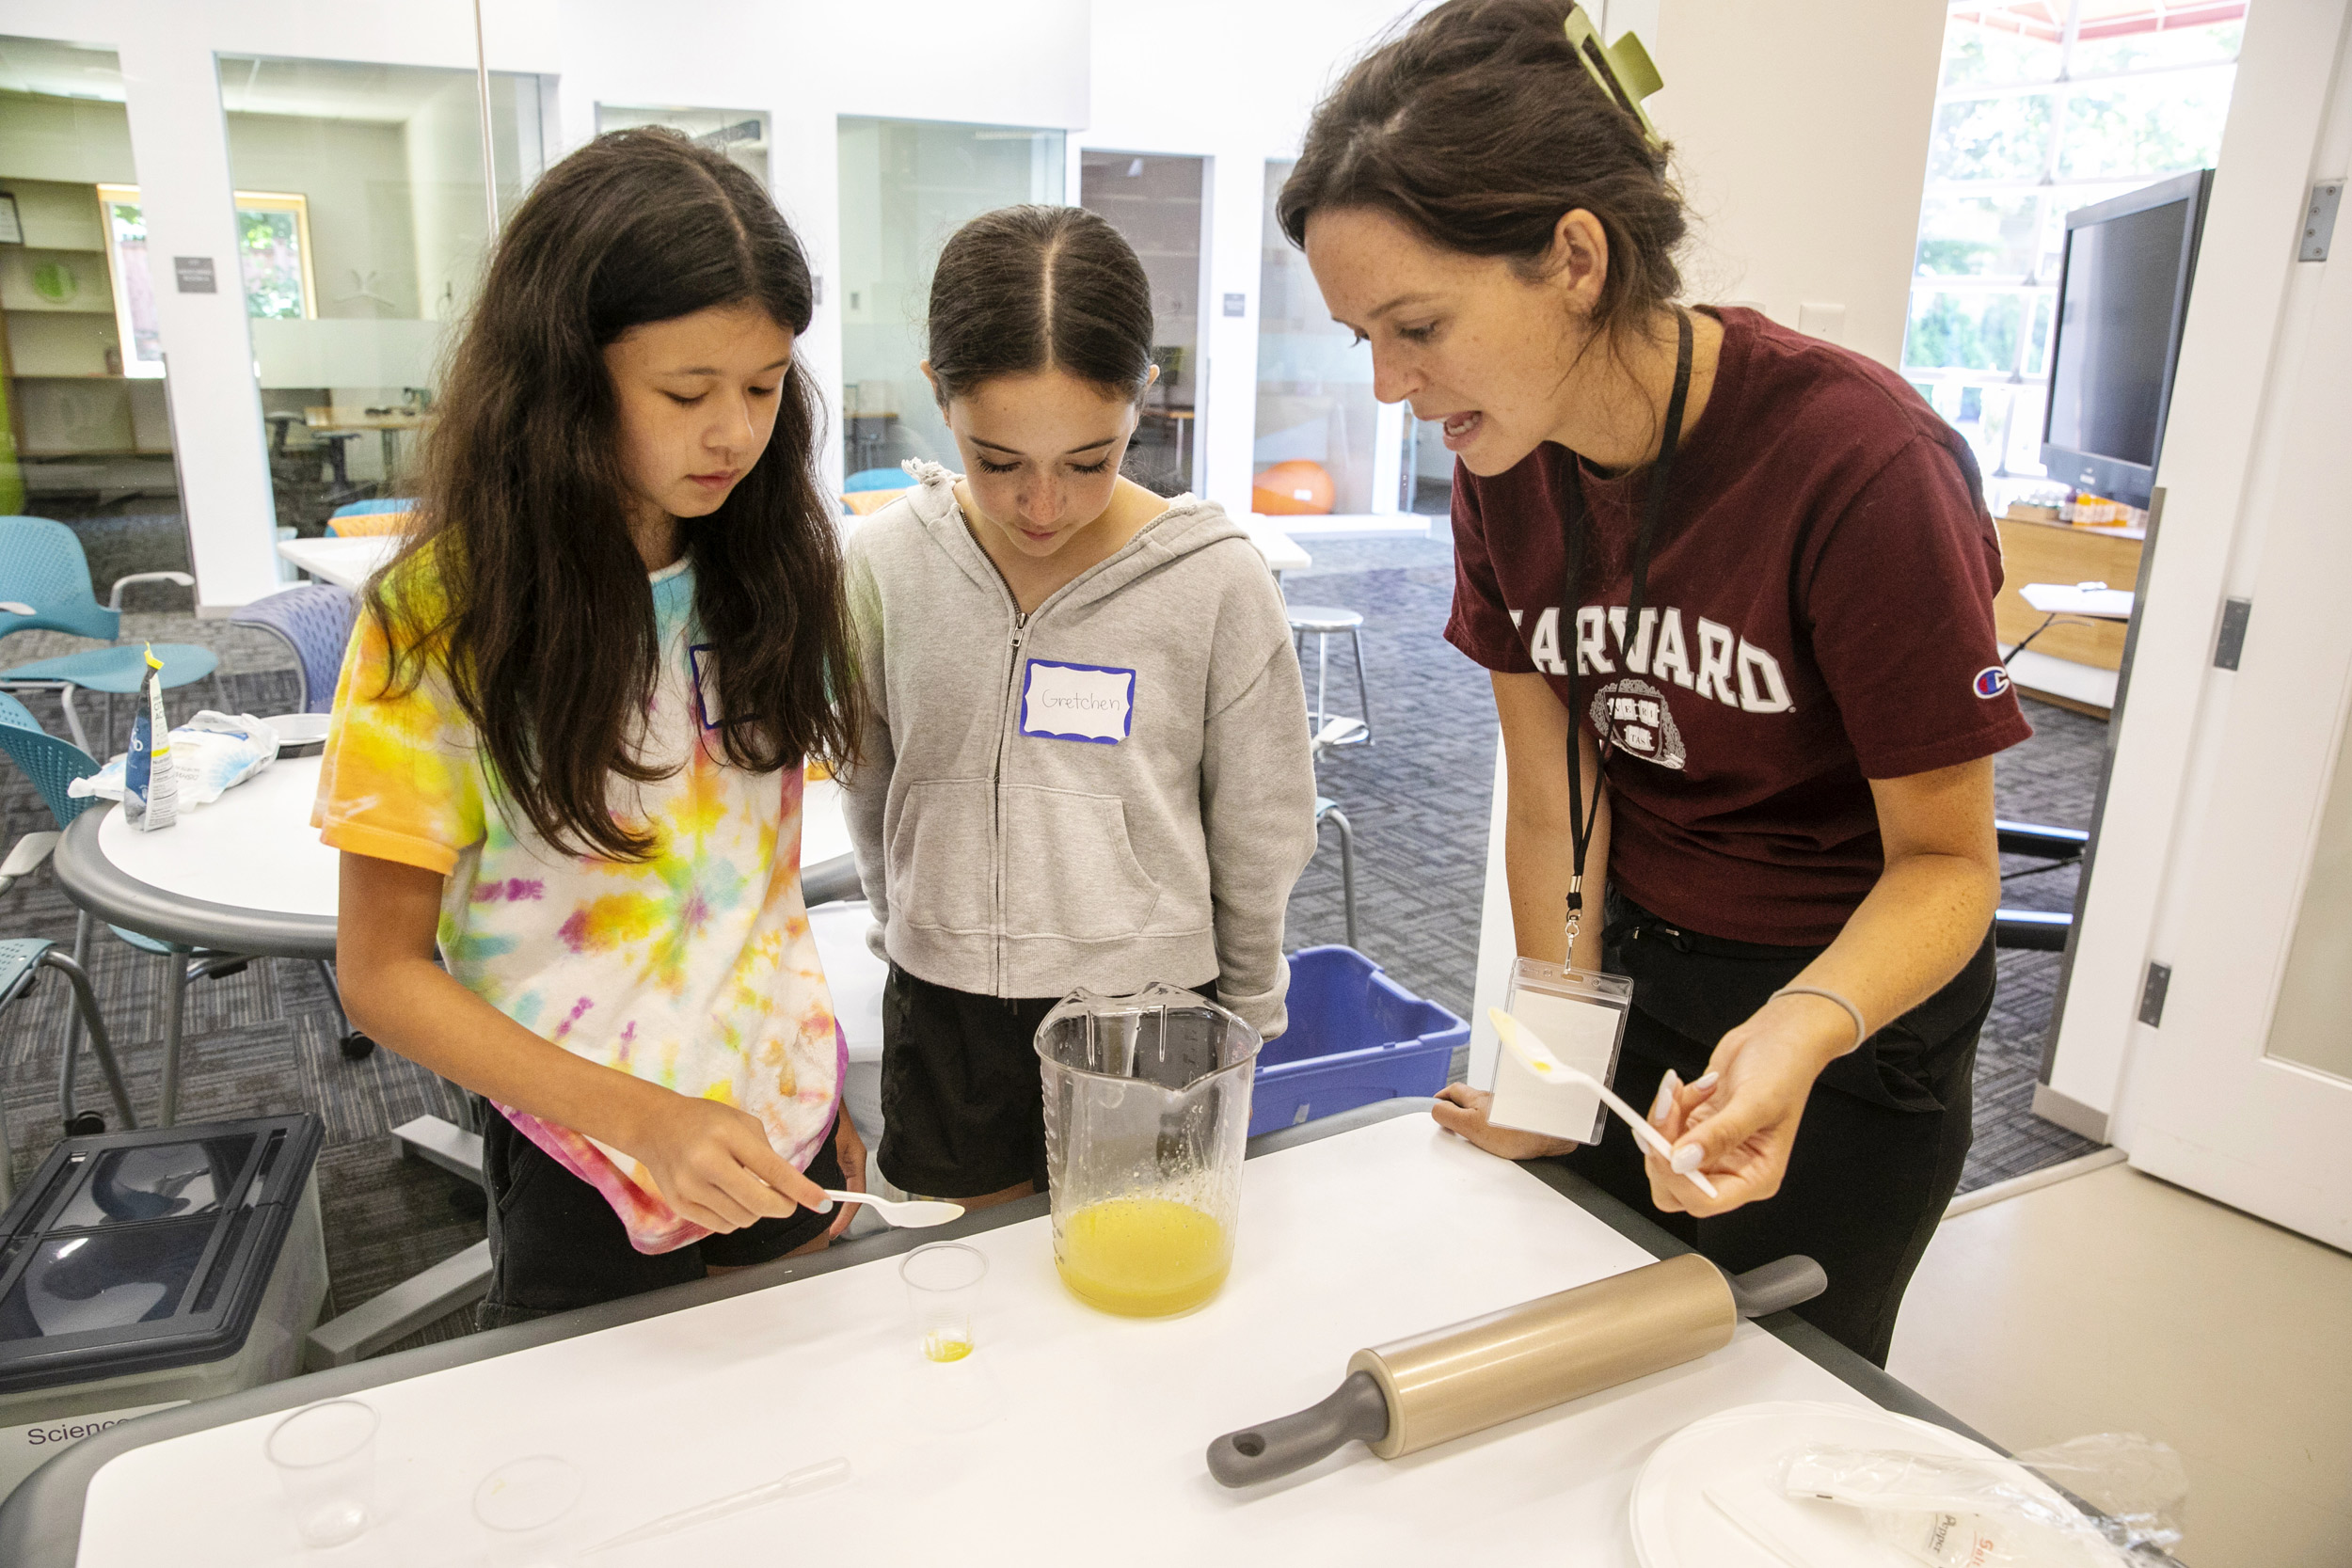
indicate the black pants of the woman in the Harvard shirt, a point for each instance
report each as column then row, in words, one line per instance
column 1878, row 1153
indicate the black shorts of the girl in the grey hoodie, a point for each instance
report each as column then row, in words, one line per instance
column 963, row 1101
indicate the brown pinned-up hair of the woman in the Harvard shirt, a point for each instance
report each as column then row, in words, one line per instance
column 1478, row 128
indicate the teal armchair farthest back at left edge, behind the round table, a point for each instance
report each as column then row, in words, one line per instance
column 46, row 587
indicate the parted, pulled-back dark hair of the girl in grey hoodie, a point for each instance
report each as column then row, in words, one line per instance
column 1041, row 288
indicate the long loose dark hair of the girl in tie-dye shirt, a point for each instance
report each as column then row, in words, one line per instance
column 544, row 612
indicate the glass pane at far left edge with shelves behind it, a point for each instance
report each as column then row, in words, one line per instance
column 83, row 427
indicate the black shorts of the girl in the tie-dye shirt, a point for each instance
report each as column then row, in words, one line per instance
column 556, row 1245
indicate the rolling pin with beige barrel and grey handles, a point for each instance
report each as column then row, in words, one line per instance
column 1448, row 1383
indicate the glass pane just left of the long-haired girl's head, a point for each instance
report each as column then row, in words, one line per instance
column 361, row 239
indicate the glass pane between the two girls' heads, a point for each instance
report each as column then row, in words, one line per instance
column 907, row 187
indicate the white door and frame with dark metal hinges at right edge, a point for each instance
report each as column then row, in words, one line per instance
column 2200, row 1101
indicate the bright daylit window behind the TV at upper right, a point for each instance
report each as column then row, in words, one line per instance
column 2045, row 107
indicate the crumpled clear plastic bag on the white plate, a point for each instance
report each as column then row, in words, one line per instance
column 1963, row 1513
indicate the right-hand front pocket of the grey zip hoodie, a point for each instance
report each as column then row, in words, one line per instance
column 1069, row 869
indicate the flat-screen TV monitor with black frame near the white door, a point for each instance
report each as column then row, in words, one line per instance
column 2123, row 297
